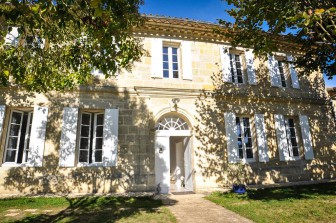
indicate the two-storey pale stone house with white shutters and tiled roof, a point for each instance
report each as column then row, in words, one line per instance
column 194, row 114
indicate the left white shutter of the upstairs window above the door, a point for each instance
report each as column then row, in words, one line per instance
column 157, row 67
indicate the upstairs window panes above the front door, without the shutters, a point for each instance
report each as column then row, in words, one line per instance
column 170, row 61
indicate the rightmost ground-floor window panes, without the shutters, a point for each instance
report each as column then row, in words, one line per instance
column 293, row 147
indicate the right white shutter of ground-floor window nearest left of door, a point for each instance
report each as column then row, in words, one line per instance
column 110, row 145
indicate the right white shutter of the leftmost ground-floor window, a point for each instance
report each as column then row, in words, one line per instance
column 37, row 136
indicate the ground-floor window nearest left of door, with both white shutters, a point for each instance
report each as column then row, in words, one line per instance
column 89, row 137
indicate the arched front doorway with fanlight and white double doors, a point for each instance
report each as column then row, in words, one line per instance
column 173, row 154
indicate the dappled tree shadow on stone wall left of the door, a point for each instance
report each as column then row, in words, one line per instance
column 135, row 161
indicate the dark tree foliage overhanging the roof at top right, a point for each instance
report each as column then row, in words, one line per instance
column 310, row 24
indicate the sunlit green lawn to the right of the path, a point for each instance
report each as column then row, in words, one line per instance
column 310, row 203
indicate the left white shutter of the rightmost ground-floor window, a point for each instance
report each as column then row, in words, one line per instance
column 281, row 137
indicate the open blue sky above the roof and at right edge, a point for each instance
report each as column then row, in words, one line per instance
column 201, row 10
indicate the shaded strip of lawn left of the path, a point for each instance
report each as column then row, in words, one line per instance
column 84, row 209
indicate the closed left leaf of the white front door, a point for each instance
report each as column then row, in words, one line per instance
column 162, row 164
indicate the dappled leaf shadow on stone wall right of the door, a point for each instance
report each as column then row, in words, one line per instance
column 247, row 100
